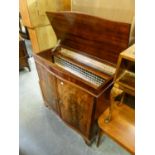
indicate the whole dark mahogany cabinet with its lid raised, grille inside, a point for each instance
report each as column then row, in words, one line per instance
column 76, row 76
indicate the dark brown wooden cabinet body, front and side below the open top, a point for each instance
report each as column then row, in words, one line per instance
column 78, row 108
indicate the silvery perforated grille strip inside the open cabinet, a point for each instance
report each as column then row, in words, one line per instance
column 80, row 72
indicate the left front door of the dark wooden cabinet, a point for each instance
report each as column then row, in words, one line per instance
column 47, row 83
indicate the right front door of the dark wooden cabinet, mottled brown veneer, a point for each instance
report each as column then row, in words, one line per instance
column 76, row 106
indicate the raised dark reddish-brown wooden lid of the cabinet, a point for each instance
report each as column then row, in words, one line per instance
column 94, row 36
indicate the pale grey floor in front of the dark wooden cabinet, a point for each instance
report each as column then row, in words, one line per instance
column 43, row 133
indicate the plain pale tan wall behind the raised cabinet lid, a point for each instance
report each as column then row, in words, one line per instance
column 117, row 10
